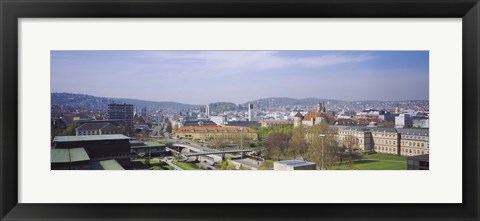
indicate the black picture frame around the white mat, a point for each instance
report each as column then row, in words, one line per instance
column 12, row 10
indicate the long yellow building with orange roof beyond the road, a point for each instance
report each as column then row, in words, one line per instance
column 215, row 132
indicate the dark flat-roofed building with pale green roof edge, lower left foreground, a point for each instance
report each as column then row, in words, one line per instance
column 98, row 147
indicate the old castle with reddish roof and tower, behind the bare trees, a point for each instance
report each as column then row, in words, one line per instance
column 314, row 118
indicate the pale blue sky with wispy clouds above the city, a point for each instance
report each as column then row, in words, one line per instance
column 201, row 77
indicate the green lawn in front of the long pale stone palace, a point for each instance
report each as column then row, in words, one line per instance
column 372, row 165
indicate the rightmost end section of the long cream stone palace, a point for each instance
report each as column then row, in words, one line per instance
column 414, row 141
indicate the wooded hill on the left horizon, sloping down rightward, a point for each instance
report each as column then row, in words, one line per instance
column 98, row 103
